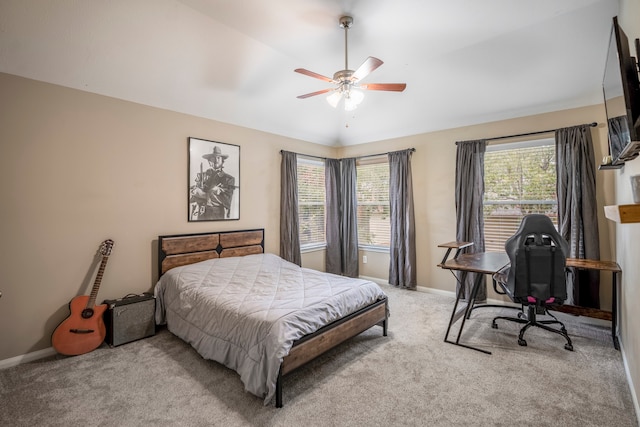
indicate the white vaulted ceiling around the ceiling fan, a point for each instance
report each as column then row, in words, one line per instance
column 464, row 61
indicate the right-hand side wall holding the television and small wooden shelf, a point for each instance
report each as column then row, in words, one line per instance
column 628, row 235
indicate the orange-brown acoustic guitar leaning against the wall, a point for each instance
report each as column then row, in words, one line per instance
column 83, row 331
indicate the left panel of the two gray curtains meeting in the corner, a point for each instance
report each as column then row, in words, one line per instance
column 333, row 259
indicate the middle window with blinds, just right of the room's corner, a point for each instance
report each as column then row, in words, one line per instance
column 374, row 225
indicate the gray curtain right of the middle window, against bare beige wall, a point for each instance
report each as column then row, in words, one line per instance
column 402, row 263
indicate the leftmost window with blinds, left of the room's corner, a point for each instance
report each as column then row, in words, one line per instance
column 311, row 196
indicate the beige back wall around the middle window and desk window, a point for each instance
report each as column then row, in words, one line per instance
column 433, row 169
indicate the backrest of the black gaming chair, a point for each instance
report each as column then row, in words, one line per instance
column 538, row 259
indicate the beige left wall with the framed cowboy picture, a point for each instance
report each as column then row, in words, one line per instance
column 78, row 168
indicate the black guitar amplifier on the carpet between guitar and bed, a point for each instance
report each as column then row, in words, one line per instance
column 130, row 318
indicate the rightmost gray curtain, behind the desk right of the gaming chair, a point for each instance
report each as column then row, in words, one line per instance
column 577, row 209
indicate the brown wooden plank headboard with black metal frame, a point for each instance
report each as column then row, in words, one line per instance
column 183, row 249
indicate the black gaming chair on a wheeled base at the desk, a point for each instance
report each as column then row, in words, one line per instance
column 536, row 275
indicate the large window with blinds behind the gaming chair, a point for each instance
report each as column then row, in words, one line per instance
column 520, row 179
